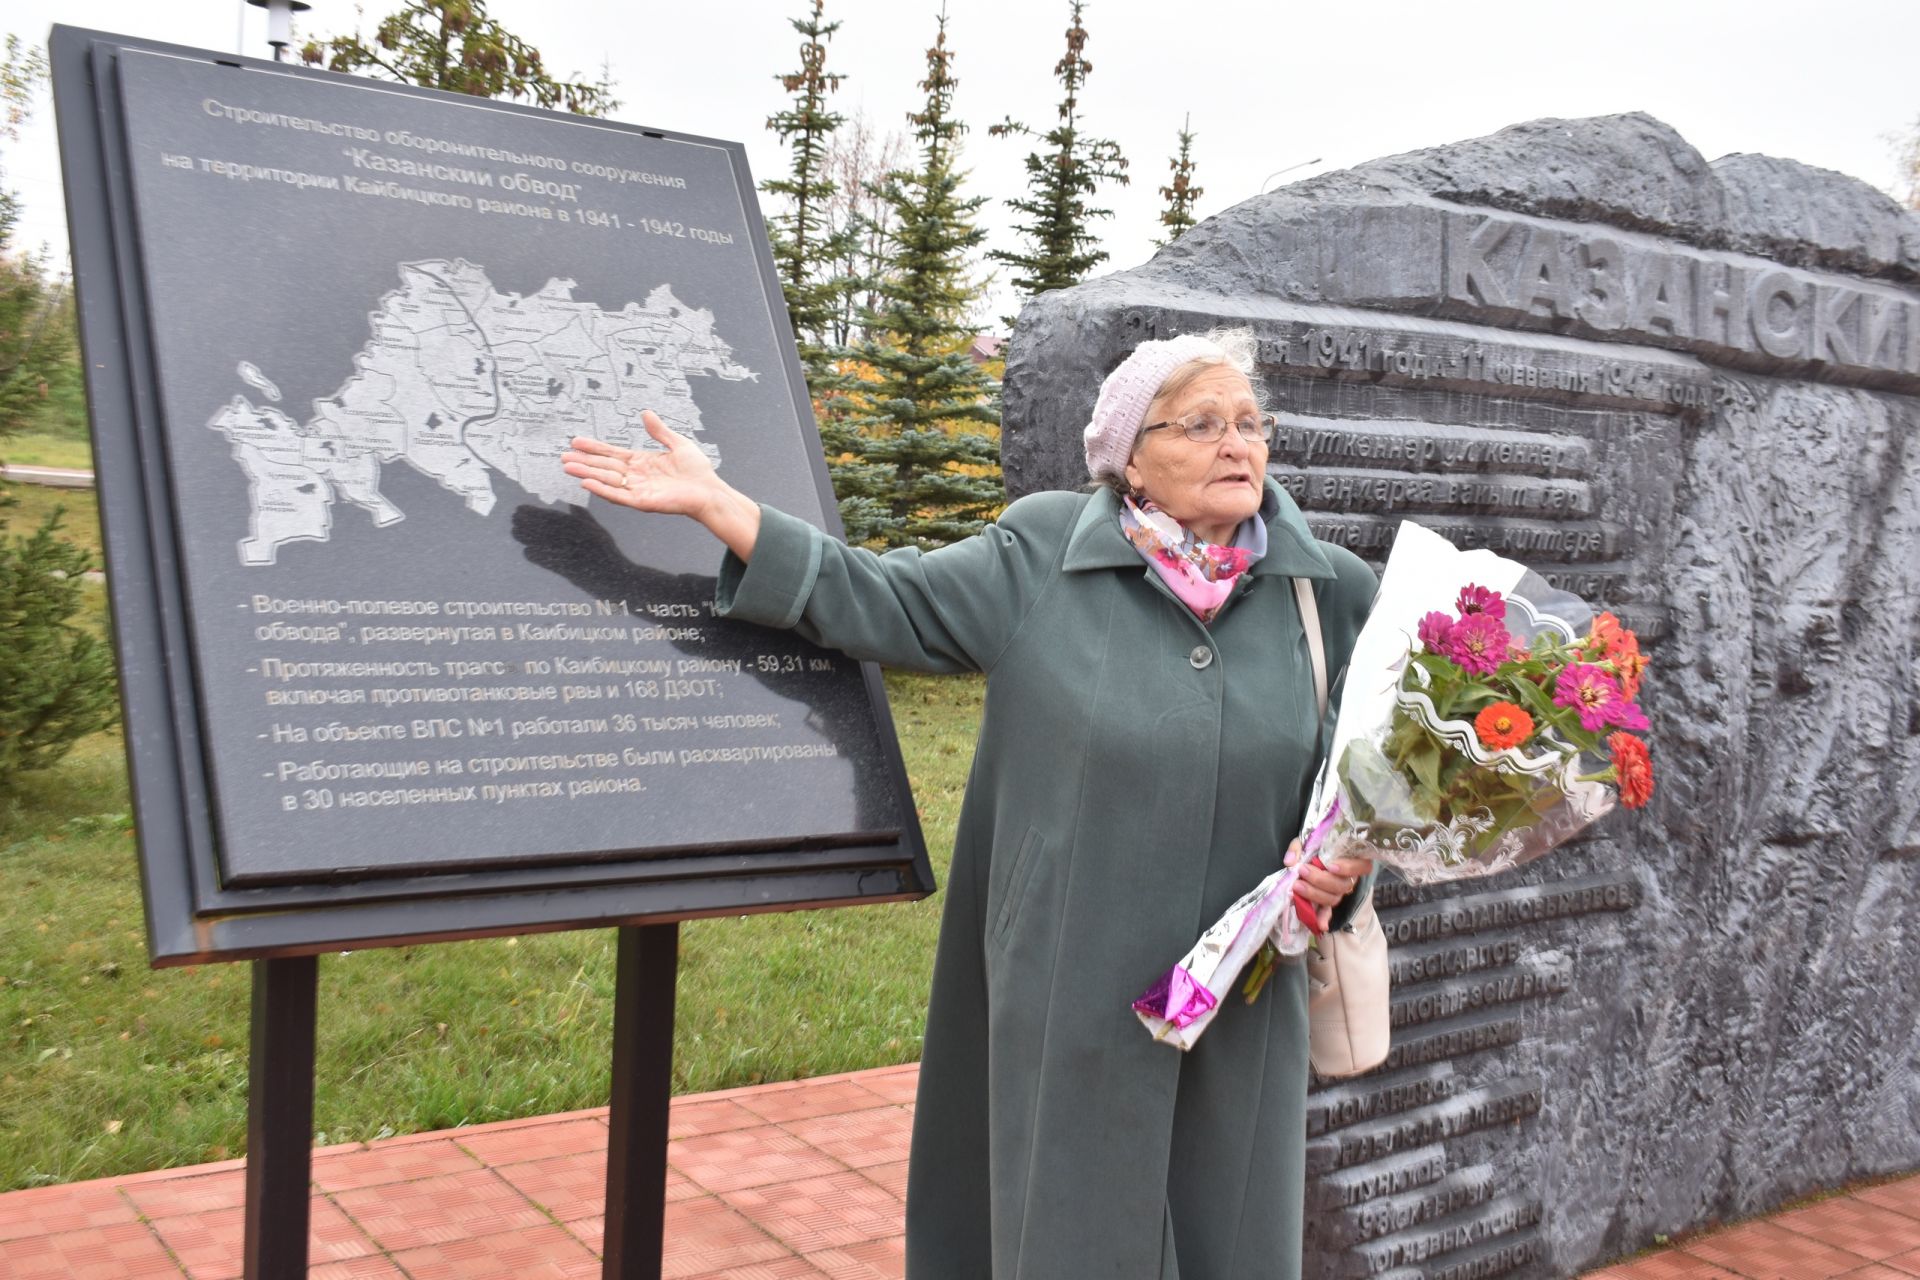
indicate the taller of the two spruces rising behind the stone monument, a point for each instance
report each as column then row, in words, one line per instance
column 1063, row 183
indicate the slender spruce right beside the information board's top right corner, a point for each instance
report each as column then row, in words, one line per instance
column 805, row 247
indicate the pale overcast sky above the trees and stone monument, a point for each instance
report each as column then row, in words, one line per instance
column 1303, row 87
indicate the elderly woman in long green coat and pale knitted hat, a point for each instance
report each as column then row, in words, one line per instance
column 1143, row 759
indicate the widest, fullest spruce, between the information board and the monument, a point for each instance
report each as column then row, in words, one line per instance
column 915, row 469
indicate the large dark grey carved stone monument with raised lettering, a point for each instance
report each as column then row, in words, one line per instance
column 1689, row 392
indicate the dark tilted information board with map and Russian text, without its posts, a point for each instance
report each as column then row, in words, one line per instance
column 379, row 650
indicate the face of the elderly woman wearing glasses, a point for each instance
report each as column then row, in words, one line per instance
column 1209, row 488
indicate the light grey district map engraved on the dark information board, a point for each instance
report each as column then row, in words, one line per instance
column 460, row 383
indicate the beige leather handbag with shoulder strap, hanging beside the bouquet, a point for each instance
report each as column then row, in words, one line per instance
column 1349, row 1016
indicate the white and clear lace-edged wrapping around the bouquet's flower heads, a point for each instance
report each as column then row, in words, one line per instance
column 1364, row 807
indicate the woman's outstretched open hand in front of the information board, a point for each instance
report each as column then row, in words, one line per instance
column 677, row 481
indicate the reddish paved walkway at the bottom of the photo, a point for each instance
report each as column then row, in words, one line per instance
column 773, row 1183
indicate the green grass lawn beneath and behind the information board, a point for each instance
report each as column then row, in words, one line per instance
column 108, row 1066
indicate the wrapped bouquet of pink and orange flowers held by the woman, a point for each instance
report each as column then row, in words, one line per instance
column 1487, row 719
